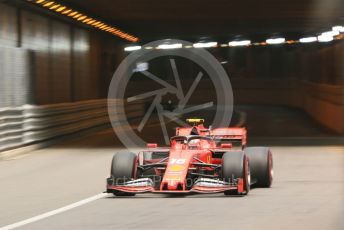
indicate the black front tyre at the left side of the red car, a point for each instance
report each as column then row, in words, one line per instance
column 123, row 168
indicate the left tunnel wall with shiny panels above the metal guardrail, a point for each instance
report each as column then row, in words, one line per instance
column 66, row 62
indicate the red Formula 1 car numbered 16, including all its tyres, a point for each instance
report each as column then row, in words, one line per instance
column 199, row 160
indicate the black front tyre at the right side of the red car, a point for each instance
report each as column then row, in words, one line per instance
column 236, row 165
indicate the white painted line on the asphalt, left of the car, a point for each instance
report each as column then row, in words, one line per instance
column 54, row 212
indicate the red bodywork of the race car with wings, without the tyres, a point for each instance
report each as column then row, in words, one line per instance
column 192, row 163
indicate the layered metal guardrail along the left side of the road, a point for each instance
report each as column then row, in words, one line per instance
column 28, row 124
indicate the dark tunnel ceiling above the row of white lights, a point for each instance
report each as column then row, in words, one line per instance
column 217, row 19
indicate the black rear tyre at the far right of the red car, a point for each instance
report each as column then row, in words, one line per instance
column 261, row 165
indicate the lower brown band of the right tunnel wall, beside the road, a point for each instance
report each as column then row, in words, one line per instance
column 323, row 102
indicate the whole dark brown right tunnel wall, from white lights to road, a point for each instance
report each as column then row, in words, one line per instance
column 306, row 76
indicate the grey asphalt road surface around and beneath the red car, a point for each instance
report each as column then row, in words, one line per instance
column 307, row 193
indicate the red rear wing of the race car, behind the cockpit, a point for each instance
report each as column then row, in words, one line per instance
column 229, row 134
